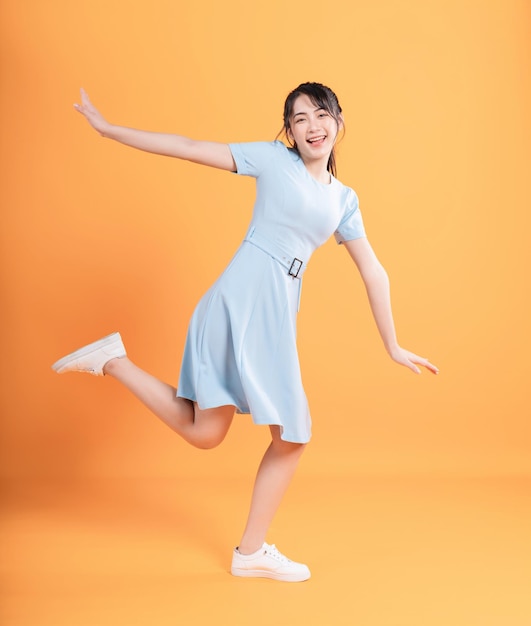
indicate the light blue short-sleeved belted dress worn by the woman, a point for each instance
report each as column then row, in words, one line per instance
column 241, row 345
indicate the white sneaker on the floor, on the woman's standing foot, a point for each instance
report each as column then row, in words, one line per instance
column 268, row 562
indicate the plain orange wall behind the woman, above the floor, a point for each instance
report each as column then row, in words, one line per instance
column 96, row 237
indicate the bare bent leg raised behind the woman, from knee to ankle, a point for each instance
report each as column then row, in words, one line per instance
column 202, row 428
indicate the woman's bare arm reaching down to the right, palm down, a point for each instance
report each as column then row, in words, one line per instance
column 376, row 283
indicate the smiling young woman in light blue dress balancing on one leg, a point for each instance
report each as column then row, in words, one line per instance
column 241, row 354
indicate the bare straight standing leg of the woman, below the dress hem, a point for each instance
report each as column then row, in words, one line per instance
column 272, row 480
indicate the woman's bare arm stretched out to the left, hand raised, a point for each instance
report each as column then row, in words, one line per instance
column 203, row 152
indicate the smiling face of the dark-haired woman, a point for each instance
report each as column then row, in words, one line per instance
column 312, row 129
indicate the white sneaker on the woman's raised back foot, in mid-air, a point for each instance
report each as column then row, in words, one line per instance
column 93, row 357
